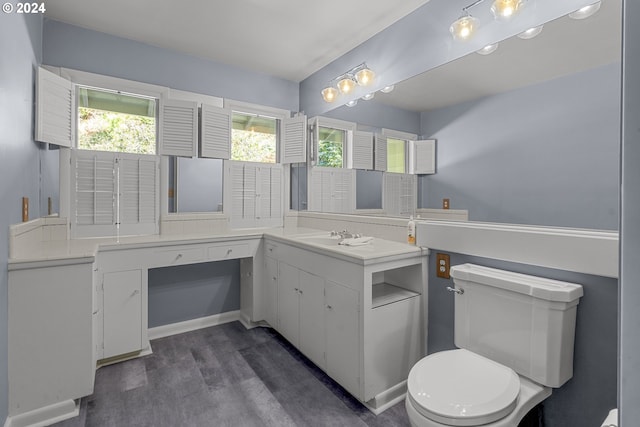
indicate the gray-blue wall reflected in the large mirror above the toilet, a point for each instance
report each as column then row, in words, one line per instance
column 546, row 154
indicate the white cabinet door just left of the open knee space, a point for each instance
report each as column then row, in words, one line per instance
column 122, row 312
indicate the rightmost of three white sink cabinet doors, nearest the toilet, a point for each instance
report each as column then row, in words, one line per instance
column 343, row 339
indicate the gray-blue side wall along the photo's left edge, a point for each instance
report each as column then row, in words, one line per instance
column 20, row 52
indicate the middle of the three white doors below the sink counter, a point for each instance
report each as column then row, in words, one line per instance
column 312, row 317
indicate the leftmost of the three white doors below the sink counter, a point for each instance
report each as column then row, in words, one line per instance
column 288, row 303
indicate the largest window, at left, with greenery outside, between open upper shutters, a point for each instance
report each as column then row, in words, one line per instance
column 112, row 121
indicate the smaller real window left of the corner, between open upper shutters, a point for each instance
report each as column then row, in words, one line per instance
column 253, row 138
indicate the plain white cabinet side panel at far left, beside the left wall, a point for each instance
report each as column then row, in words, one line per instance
column 50, row 328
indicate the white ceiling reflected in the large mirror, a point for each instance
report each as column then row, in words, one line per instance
column 564, row 47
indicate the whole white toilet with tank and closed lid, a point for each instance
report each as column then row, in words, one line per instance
column 515, row 335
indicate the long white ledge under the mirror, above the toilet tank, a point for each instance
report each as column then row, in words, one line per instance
column 569, row 249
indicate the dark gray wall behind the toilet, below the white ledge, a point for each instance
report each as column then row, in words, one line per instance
column 584, row 400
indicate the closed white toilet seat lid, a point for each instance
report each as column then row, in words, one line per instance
column 461, row 388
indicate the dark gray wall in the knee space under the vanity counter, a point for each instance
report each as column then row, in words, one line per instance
column 189, row 292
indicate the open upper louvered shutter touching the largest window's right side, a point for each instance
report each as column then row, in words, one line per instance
column 178, row 128
